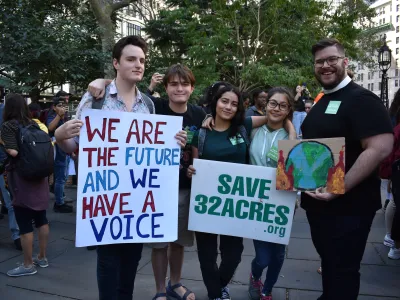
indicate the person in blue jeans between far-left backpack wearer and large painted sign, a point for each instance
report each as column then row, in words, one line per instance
column 55, row 119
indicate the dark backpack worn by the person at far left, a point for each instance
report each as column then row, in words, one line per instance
column 35, row 158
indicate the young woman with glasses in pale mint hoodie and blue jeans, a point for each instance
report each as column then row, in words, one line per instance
column 264, row 152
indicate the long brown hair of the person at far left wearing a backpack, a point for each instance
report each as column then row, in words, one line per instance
column 15, row 108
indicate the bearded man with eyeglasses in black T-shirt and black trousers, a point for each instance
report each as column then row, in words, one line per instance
column 340, row 224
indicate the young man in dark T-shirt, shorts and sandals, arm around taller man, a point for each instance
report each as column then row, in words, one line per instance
column 179, row 84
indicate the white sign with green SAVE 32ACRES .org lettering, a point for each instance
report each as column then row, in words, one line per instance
column 240, row 200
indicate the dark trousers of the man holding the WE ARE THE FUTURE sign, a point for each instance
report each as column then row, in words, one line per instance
column 116, row 270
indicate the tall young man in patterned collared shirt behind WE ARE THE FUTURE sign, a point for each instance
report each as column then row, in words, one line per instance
column 117, row 263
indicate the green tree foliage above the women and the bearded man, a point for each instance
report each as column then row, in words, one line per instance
column 253, row 43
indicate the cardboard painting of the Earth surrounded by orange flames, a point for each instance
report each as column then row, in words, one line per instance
column 308, row 165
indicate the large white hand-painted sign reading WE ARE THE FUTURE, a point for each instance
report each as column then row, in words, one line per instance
column 128, row 178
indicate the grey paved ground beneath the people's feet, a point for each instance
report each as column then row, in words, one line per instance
column 71, row 274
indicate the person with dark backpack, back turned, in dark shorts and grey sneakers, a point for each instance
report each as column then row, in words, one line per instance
column 27, row 175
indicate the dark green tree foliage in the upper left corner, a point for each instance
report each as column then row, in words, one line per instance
column 44, row 43
